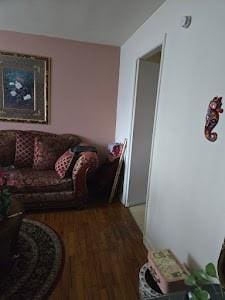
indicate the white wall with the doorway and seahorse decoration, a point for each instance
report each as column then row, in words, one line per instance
column 186, row 210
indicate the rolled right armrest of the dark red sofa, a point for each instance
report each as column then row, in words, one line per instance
column 85, row 164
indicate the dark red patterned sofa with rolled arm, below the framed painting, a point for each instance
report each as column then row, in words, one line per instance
column 35, row 182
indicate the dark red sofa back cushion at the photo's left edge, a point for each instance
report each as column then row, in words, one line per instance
column 7, row 149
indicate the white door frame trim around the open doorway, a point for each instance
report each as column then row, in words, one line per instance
column 129, row 148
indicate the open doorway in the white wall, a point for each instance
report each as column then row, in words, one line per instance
column 147, row 78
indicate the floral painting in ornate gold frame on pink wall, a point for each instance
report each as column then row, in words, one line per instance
column 24, row 88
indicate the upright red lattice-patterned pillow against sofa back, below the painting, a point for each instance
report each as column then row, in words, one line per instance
column 24, row 149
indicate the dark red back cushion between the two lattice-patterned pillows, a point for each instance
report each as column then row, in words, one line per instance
column 47, row 150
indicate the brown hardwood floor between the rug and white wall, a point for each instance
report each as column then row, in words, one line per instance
column 103, row 252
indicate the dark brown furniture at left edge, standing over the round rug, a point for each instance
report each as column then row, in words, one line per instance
column 9, row 229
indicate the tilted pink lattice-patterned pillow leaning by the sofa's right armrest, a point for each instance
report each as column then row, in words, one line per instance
column 63, row 164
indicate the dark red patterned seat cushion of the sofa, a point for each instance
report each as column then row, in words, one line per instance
column 34, row 181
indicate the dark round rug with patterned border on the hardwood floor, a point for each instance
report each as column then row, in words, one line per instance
column 38, row 266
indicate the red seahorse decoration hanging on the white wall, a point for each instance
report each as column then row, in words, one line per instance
column 212, row 118
